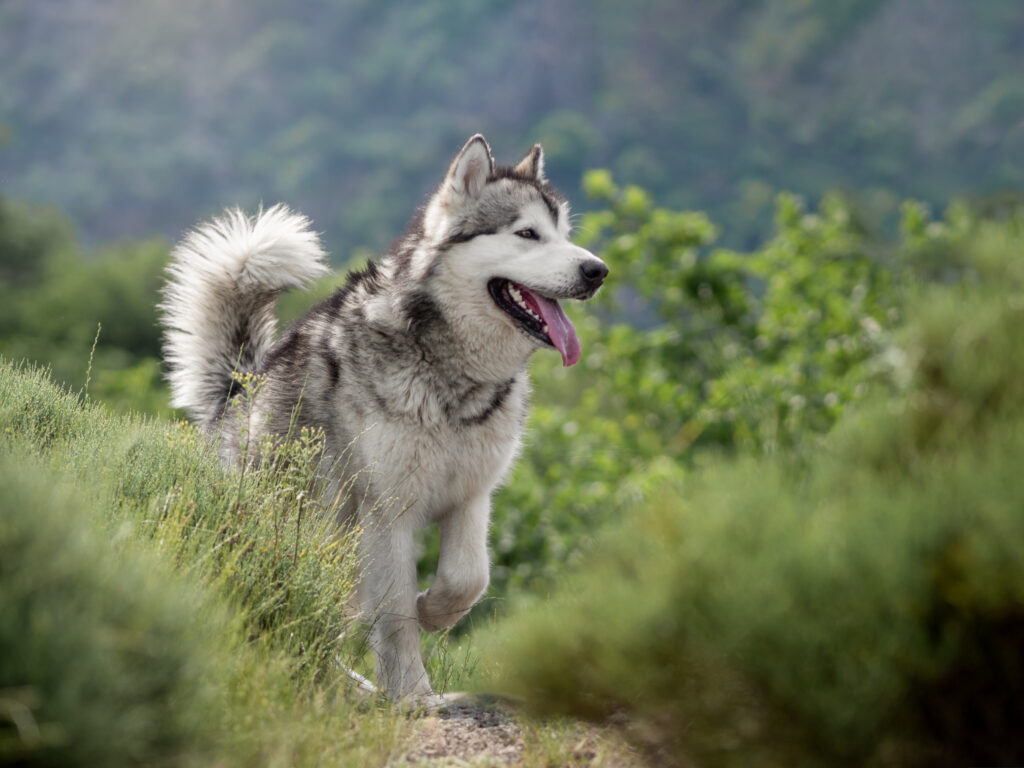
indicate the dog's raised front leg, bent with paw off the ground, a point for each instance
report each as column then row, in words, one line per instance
column 463, row 569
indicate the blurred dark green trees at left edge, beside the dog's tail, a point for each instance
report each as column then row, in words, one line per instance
column 57, row 301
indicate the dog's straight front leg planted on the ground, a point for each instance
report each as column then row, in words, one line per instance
column 388, row 593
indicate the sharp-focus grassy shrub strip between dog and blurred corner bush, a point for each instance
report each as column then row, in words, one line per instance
column 261, row 535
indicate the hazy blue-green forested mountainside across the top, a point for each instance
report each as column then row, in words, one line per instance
column 141, row 117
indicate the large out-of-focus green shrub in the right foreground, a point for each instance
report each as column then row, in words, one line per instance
column 867, row 608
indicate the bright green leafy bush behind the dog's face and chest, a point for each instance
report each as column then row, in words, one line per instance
column 723, row 353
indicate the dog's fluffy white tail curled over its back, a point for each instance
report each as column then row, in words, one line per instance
column 219, row 305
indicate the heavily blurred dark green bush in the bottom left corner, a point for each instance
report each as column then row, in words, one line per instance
column 107, row 658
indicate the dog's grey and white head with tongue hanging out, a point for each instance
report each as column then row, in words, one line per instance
column 502, row 240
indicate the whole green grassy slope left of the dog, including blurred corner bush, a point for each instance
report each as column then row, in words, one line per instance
column 160, row 612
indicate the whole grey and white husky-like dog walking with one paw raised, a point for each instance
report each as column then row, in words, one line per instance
column 415, row 371
